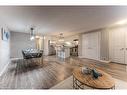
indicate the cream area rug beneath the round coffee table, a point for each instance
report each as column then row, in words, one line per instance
column 68, row 84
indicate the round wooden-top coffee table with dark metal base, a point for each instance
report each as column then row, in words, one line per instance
column 80, row 80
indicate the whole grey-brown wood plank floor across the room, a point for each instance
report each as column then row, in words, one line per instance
column 32, row 74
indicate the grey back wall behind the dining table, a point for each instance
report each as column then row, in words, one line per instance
column 20, row 41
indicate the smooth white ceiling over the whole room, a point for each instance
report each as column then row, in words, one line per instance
column 54, row 20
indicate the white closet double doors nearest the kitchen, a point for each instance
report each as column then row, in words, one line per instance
column 90, row 46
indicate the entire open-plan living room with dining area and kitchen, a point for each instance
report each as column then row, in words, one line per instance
column 63, row 47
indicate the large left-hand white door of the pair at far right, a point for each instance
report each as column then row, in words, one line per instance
column 117, row 43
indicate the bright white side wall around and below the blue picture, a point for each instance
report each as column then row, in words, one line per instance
column 4, row 53
